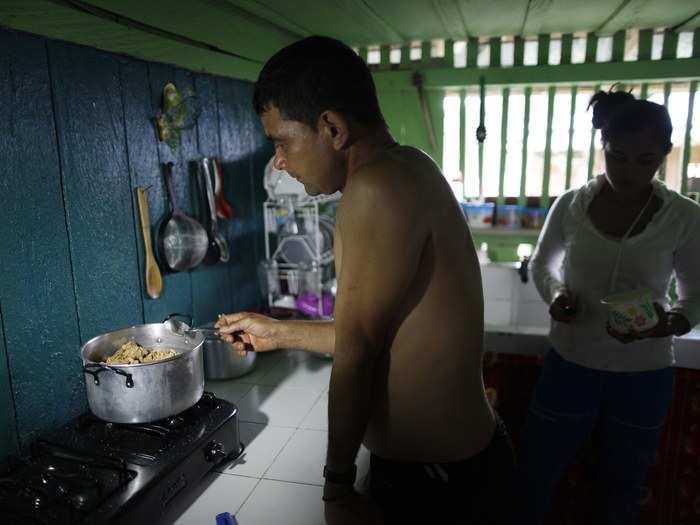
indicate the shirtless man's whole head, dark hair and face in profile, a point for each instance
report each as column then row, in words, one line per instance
column 311, row 96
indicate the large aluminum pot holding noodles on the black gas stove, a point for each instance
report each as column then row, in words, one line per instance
column 141, row 393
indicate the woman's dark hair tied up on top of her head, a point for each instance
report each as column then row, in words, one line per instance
column 618, row 112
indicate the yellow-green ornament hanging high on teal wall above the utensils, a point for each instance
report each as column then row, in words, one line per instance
column 178, row 113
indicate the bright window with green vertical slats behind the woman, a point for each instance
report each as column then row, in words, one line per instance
column 584, row 142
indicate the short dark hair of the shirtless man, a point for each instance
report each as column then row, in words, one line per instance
column 314, row 75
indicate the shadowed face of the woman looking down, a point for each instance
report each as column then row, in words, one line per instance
column 631, row 160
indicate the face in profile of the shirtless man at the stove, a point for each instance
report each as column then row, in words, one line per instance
column 305, row 154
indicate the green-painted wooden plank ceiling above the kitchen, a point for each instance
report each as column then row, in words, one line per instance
column 234, row 37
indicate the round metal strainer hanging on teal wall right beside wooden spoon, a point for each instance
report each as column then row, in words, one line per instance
column 182, row 241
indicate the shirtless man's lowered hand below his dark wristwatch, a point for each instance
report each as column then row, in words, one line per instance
column 344, row 506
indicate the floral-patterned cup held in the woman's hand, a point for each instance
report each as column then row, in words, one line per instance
column 631, row 311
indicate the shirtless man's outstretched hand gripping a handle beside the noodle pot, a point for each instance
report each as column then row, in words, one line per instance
column 247, row 331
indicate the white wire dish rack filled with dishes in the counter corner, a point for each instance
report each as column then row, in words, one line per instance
column 299, row 257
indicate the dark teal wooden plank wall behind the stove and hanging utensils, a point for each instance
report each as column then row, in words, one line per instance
column 76, row 136
